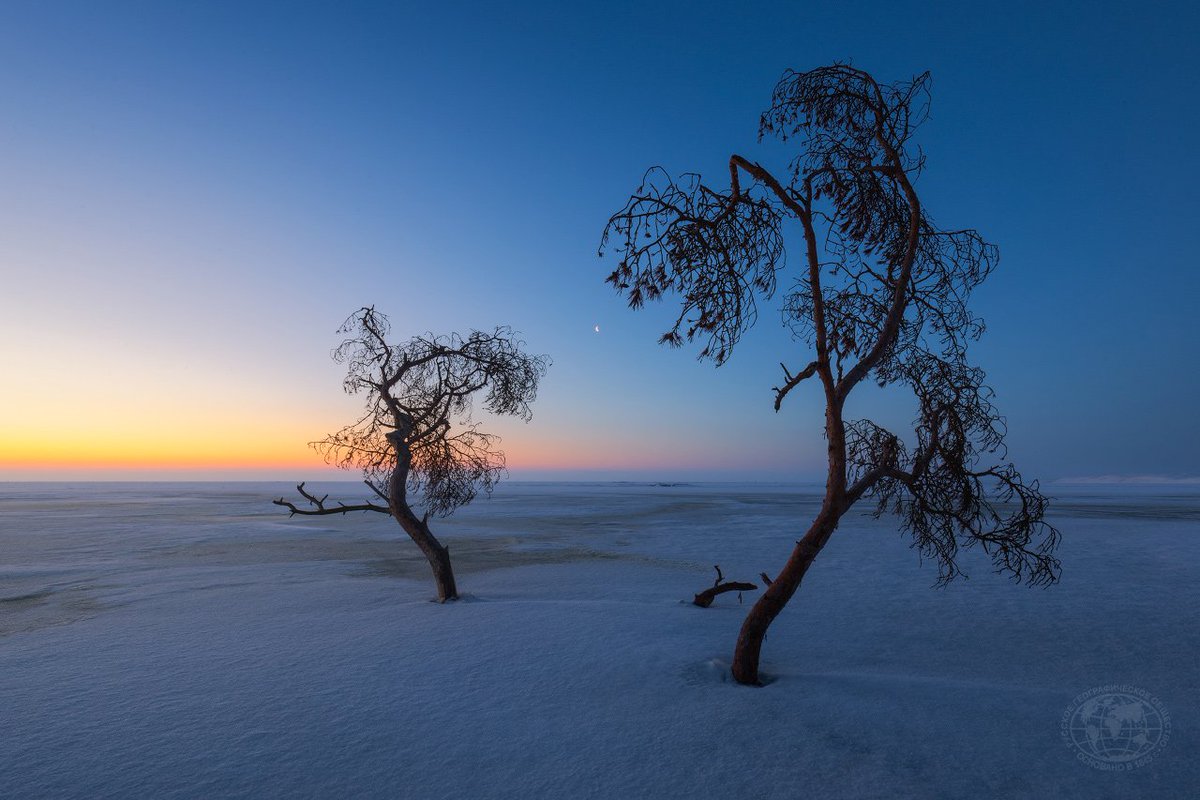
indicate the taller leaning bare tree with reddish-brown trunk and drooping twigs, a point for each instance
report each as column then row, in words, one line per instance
column 881, row 293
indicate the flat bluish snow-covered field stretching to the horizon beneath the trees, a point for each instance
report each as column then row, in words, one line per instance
column 191, row 641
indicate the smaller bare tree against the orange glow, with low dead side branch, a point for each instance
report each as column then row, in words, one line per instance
column 417, row 447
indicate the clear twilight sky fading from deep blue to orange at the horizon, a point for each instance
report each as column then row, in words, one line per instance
column 195, row 195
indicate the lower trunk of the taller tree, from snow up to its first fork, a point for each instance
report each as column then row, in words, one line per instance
column 772, row 601
